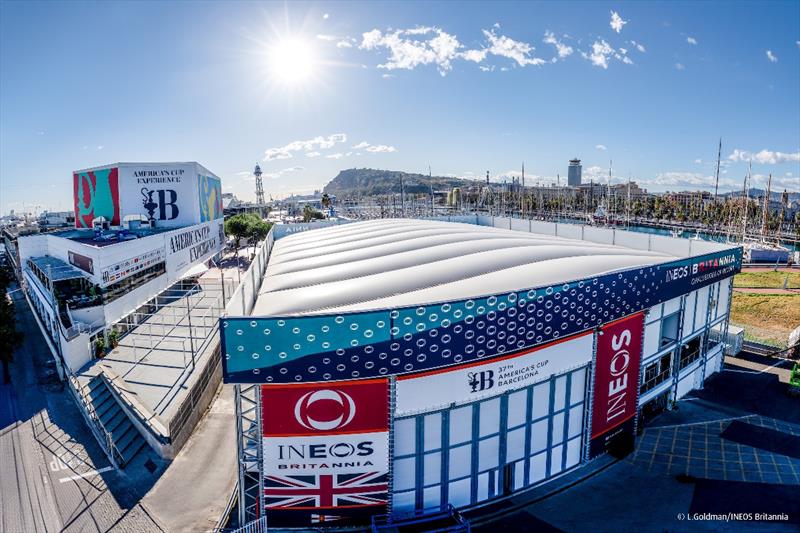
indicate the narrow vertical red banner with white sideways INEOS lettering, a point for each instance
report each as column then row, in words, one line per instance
column 616, row 382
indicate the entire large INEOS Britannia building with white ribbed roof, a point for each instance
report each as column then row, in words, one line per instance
column 408, row 365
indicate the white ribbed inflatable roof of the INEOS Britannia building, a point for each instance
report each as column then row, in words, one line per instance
column 391, row 263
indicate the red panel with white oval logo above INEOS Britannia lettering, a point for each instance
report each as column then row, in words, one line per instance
column 336, row 408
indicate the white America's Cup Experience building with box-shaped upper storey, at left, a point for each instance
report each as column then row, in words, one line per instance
column 140, row 228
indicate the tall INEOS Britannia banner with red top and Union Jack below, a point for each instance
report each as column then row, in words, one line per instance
column 325, row 452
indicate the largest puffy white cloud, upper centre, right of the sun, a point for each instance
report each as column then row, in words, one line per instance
column 407, row 51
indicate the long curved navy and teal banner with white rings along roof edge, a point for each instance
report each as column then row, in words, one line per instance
column 412, row 339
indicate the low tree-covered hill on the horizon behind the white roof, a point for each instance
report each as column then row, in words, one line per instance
column 371, row 181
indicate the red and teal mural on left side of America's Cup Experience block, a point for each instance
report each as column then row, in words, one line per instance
column 96, row 194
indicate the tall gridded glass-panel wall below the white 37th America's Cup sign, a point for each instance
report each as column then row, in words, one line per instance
column 491, row 447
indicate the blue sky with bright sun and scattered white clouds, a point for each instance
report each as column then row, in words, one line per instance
column 464, row 88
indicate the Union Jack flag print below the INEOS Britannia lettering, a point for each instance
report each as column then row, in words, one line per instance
column 326, row 491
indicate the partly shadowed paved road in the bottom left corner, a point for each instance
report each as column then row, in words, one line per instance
column 53, row 474
